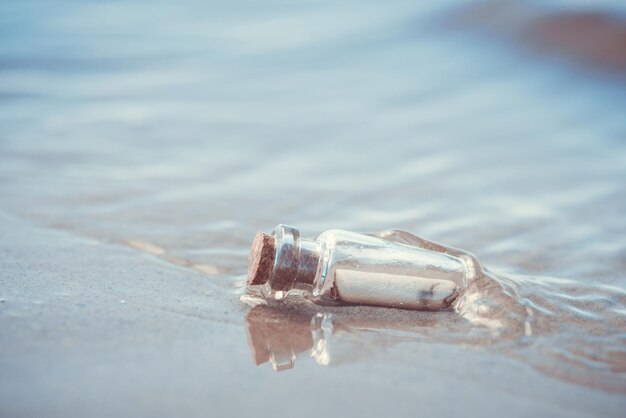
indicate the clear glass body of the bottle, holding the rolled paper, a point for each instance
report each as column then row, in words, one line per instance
column 363, row 269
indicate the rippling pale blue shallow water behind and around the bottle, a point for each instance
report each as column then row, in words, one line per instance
column 179, row 131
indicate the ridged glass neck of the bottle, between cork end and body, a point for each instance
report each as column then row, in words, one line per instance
column 297, row 260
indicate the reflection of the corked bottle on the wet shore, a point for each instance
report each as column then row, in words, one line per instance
column 279, row 332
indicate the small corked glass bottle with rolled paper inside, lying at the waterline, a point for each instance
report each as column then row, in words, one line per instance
column 394, row 268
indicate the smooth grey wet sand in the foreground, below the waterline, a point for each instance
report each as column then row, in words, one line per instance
column 97, row 329
